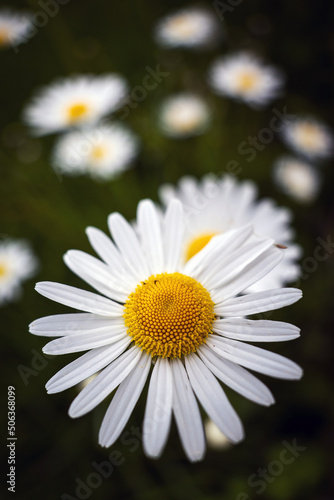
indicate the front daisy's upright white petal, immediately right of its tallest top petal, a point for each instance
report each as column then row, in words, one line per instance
column 173, row 234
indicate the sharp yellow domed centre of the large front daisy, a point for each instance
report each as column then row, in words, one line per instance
column 169, row 315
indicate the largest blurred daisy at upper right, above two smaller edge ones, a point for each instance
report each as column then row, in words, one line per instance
column 243, row 76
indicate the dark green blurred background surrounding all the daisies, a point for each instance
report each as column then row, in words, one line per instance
column 52, row 212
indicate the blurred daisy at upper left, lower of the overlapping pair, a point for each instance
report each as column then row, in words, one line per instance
column 102, row 152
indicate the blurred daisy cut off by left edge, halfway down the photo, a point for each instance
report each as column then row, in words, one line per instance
column 17, row 264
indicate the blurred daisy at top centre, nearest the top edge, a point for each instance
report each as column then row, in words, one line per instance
column 188, row 28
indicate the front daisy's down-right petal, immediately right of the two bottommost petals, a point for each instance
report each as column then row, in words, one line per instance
column 213, row 398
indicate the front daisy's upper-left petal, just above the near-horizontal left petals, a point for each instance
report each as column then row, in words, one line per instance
column 97, row 274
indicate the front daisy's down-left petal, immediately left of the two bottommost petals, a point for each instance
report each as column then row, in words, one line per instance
column 124, row 401
